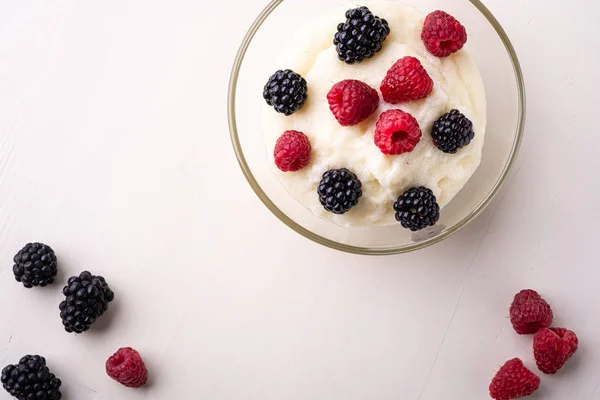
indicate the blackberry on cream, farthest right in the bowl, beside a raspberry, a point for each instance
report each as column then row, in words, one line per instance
column 452, row 131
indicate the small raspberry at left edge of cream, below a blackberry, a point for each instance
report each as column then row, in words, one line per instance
column 292, row 151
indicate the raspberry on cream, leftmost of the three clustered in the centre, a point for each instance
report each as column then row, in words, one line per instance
column 352, row 101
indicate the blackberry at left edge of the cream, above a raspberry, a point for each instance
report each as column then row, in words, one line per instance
column 286, row 91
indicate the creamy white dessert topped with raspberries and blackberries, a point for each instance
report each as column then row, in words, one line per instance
column 389, row 96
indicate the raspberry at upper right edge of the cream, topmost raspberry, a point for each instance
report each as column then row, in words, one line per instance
column 442, row 34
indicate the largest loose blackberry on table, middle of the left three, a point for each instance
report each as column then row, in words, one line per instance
column 87, row 299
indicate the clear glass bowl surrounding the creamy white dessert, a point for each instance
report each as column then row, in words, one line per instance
column 501, row 73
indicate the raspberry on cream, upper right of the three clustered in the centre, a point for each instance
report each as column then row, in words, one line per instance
column 407, row 80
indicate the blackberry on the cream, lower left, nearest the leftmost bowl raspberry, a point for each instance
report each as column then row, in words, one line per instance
column 339, row 190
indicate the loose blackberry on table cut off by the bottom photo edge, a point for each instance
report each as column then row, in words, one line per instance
column 31, row 379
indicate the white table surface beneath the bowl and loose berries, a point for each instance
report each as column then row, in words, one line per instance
column 114, row 149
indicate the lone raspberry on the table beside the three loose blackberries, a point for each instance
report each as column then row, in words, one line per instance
column 127, row 367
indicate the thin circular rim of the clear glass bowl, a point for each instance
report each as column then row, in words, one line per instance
column 231, row 95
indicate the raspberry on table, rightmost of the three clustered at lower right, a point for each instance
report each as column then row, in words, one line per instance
column 552, row 347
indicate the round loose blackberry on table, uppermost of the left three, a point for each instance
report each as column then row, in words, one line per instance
column 35, row 265
